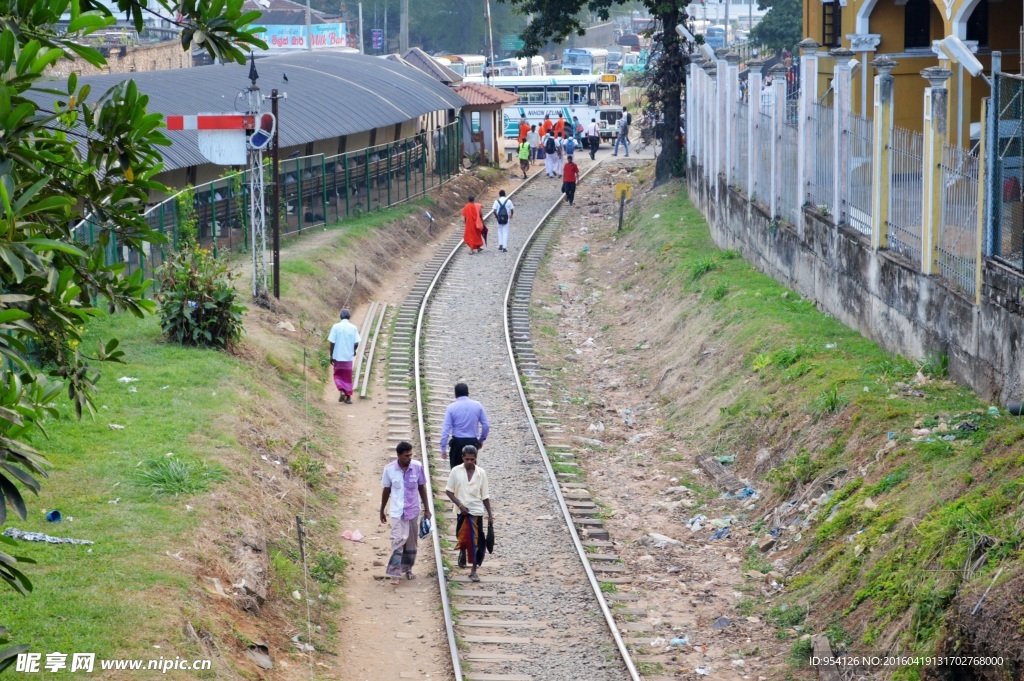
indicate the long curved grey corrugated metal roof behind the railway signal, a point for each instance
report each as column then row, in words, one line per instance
column 329, row 95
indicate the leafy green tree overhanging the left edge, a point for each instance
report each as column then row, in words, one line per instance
column 67, row 154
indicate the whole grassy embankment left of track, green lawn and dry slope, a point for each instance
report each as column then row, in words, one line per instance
column 167, row 498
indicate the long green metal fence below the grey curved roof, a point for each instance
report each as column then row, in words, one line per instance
column 316, row 191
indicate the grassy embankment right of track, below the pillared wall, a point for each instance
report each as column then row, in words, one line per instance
column 917, row 521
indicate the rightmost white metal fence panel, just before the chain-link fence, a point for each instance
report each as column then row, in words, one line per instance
column 957, row 246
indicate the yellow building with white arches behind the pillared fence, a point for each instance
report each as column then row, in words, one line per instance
column 906, row 31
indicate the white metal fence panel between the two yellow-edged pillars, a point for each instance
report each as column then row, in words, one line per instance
column 906, row 192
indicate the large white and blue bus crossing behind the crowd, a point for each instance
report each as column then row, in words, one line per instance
column 583, row 97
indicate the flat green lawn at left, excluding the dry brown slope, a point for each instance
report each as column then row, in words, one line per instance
column 100, row 599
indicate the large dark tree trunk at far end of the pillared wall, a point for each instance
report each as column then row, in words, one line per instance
column 671, row 74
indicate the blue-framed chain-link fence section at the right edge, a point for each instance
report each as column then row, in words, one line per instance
column 1007, row 211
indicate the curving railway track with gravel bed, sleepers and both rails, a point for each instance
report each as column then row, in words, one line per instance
column 539, row 612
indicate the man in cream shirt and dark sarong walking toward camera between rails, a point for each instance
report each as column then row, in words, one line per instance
column 467, row 489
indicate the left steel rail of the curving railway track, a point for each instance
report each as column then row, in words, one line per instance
column 421, row 425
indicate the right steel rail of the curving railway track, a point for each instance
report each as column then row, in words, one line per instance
column 609, row 618
